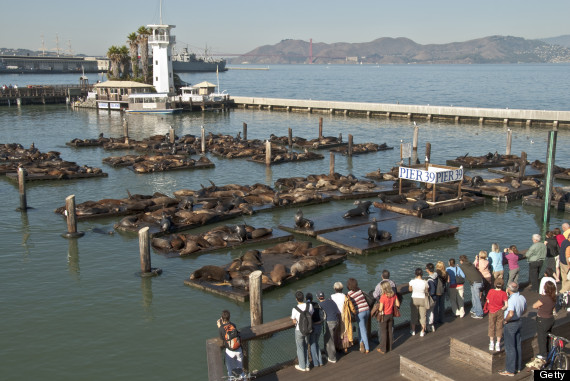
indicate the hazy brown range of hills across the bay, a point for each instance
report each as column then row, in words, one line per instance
column 386, row 50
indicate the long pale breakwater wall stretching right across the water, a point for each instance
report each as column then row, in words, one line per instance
column 418, row 112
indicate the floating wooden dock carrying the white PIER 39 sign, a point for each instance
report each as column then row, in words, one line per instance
column 435, row 209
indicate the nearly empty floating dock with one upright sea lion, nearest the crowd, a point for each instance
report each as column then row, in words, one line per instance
column 405, row 231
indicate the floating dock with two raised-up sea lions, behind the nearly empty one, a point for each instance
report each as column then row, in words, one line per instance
column 334, row 222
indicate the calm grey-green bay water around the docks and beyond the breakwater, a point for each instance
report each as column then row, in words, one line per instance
column 77, row 309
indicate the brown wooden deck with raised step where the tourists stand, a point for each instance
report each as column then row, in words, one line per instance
column 433, row 357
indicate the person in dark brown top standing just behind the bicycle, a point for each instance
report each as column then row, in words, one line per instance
column 544, row 317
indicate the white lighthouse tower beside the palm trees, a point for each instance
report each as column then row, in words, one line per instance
column 160, row 40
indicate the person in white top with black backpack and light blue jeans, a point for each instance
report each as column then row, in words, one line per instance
column 301, row 315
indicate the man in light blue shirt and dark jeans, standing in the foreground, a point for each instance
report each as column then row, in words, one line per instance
column 512, row 330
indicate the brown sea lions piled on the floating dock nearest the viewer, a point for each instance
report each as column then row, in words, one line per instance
column 305, row 258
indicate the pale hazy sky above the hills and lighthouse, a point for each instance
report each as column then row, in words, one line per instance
column 233, row 27
